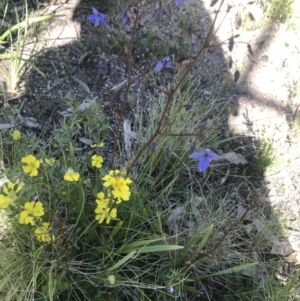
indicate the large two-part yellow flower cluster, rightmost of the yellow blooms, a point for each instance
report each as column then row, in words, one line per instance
column 118, row 191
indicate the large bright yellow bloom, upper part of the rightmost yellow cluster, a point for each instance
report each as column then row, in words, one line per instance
column 118, row 183
